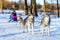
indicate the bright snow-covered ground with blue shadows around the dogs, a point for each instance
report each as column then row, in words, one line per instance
column 11, row 31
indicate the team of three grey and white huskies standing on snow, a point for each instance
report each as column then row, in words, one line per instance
column 29, row 23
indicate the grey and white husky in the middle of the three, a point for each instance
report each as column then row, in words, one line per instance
column 29, row 22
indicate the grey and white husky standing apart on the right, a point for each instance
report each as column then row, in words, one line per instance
column 45, row 22
